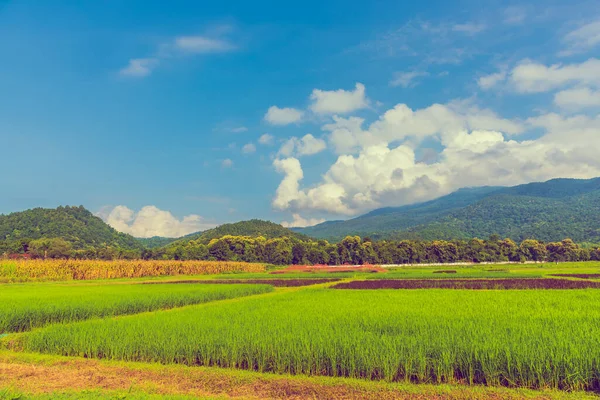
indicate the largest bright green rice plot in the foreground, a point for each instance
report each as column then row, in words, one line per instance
column 534, row 339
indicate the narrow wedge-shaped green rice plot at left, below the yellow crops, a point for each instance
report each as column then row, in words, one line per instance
column 26, row 306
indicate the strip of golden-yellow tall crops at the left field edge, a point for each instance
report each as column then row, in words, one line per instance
column 60, row 270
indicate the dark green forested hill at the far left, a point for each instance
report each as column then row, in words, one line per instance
column 76, row 225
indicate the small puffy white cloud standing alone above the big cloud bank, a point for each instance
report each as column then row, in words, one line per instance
column 338, row 101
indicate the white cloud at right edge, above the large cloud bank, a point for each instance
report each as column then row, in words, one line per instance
column 531, row 77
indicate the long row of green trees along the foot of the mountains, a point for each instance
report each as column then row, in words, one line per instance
column 350, row 250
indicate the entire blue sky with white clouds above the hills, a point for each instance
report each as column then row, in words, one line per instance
column 166, row 119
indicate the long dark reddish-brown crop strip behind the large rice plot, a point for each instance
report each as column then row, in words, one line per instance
column 475, row 284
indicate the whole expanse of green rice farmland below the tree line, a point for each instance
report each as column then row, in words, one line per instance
column 305, row 325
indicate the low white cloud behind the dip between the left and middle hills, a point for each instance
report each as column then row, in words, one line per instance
column 151, row 221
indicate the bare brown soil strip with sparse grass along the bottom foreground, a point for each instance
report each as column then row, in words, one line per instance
column 39, row 374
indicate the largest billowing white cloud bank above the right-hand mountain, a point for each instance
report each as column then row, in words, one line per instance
column 378, row 166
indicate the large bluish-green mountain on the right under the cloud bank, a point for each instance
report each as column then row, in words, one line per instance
column 546, row 211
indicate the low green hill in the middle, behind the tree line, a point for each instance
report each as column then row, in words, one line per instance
column 254, row 228
